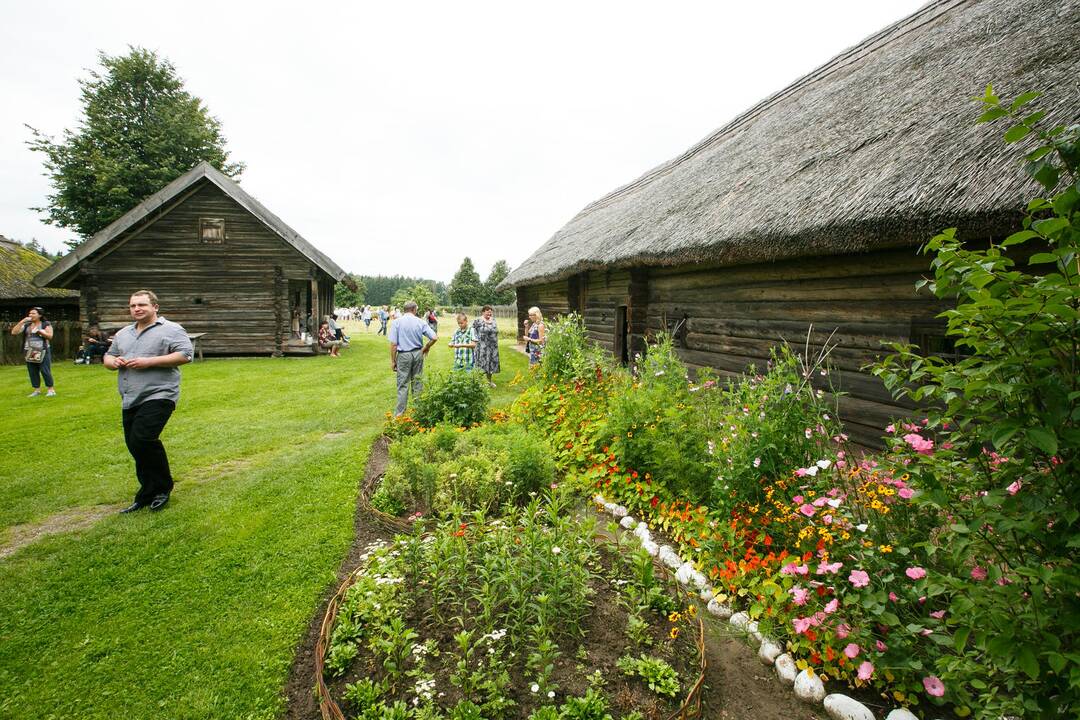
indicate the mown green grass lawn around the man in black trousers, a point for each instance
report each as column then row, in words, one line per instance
column 193, row 613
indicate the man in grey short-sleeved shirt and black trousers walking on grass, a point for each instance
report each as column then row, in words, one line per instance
column 147, row 356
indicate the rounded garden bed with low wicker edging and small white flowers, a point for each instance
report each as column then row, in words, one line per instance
column 521, row 617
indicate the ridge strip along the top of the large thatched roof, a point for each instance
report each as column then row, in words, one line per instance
column 868, row 46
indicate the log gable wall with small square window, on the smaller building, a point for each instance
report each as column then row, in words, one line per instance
column 236, row 292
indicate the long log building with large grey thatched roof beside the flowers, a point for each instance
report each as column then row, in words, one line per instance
column 809, row 208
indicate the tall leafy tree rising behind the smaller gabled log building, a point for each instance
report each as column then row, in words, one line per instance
column 140, row 131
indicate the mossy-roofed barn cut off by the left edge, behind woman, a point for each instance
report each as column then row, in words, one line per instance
column 19, row 265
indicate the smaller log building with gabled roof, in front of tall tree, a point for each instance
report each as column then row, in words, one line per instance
column 221, row 264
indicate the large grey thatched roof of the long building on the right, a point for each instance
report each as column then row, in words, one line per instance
column 875, row 150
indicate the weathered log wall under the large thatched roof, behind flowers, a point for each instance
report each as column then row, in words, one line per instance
column 730, row 319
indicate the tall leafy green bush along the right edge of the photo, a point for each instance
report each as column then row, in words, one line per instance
column 1008, row 572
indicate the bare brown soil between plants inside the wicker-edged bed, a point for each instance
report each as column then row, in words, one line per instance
column 604, row 642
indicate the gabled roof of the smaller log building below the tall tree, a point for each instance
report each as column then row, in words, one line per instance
column 65, row 271
